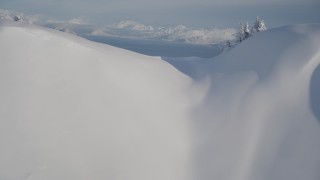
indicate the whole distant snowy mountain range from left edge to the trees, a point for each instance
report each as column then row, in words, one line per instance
column 129, row 29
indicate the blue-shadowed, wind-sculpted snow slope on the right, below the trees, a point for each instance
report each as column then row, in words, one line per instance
column 260, row 119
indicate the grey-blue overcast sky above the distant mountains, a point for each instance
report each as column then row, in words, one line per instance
column 196, row 13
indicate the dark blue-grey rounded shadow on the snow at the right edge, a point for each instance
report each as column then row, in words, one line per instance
column 315, row 92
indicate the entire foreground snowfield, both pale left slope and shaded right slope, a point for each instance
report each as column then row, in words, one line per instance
column 72, row 109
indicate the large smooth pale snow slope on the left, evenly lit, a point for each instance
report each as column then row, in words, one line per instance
column 74, row 109
